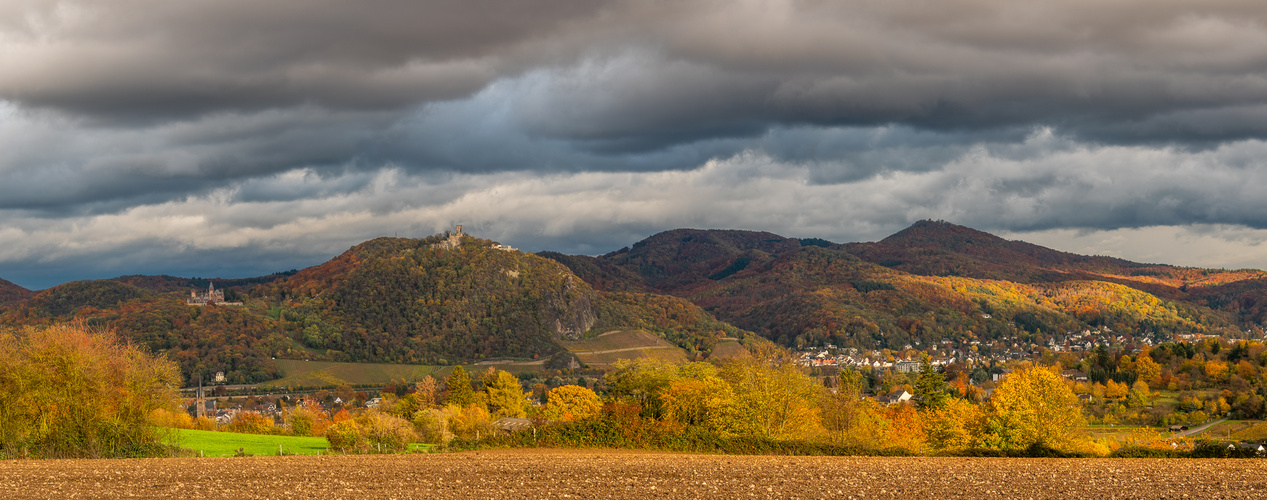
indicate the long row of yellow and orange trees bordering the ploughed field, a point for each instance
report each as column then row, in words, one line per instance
column 761, row 404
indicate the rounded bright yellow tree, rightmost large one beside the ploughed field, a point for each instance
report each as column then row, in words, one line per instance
column 1035, row 407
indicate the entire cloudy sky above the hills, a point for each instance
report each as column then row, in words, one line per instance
column 238, row 139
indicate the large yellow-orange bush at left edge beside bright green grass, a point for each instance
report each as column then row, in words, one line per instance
column 69, row 392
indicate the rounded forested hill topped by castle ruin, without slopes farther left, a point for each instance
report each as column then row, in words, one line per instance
column 436, row 301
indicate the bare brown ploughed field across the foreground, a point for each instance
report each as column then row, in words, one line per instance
column 630, row 475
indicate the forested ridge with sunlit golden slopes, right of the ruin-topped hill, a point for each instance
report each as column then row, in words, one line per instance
column 929, row 283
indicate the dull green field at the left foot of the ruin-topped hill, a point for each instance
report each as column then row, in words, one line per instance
column 311, row 374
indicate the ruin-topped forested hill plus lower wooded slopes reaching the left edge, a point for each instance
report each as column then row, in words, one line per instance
column 431, row 301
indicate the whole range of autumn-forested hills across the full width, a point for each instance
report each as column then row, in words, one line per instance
column 442, row 299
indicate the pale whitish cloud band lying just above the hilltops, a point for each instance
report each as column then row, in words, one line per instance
column 1037, row 187
